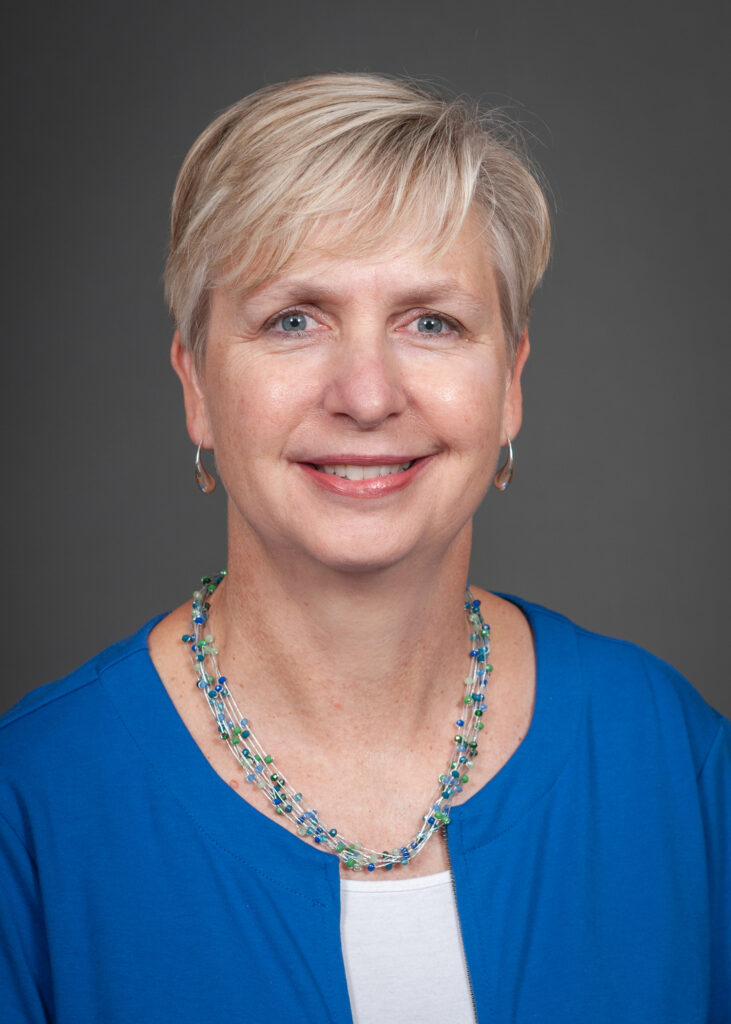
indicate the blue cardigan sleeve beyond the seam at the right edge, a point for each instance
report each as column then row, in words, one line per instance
column 715, row 791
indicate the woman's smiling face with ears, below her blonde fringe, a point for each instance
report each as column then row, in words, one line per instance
column 357, row 406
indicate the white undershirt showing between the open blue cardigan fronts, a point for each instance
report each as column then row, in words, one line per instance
column 403, row 952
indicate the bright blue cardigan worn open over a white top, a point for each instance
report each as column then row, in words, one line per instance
column 592, row 873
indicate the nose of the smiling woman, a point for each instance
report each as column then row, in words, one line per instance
column 365, row 378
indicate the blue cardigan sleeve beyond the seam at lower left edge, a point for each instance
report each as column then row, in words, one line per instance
column 24, row 961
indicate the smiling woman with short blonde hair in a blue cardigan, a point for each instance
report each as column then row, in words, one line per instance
column 421, row 804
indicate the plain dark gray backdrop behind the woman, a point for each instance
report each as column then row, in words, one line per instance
column 619, row 514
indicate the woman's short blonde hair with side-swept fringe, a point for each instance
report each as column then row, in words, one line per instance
column 379, row 154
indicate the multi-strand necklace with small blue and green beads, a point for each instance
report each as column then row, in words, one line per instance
column 260, row 767
